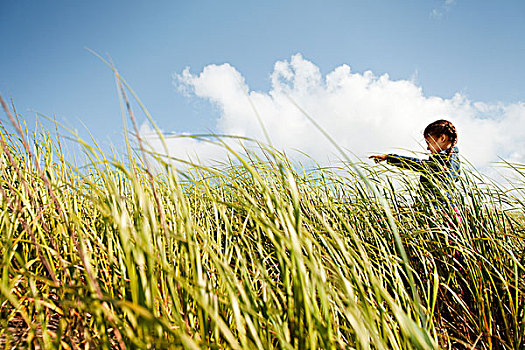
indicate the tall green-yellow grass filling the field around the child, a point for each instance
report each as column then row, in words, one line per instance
column 250, row 254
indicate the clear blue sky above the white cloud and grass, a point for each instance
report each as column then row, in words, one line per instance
column 475, row 48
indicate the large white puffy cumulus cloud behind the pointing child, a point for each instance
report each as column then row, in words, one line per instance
column 365, row 114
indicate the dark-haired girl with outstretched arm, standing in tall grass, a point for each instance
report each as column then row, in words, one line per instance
column 442, row 169
